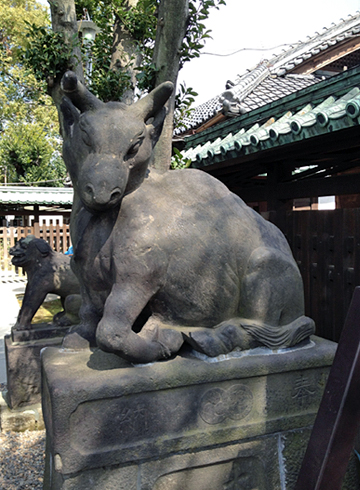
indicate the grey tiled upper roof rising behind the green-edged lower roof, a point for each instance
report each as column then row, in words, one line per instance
column 302, row 65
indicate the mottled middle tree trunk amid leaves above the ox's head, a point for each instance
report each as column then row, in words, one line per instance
column 125, row 53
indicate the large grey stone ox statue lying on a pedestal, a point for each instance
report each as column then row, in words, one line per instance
column 164, row 258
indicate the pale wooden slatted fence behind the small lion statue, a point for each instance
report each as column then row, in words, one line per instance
column 58, row 237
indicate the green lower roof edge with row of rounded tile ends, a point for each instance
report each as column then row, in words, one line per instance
column 329, row 106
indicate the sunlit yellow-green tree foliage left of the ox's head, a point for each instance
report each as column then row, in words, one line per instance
column 29, row 133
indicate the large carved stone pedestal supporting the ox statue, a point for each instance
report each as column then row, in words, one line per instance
column 182, row 424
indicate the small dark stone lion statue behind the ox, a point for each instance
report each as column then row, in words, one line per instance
column 47, row 272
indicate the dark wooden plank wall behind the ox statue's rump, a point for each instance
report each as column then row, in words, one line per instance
column 326, row 246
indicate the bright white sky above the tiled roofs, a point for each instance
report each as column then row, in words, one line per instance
column 254, row 25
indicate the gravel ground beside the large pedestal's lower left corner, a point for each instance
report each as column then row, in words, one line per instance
column 22, row 458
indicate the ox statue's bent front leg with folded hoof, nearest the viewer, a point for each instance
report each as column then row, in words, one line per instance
column 114, row 333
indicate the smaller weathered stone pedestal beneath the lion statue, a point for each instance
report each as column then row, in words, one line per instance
column 23, row 365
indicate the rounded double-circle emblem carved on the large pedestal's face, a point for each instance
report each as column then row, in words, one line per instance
column 217, row 404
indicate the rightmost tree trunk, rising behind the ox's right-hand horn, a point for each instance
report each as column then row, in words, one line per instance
column 171, row 29
